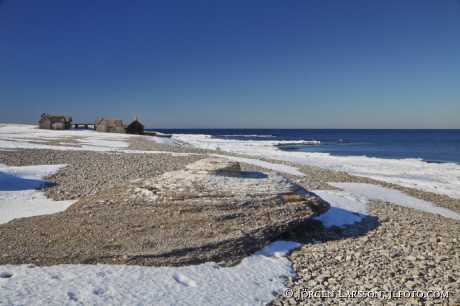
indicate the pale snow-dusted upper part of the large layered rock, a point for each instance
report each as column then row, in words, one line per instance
column 217, row 180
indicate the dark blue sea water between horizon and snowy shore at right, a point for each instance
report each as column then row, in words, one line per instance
column 430, row 145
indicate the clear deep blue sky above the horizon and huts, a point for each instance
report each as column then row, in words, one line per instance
column 233, row 64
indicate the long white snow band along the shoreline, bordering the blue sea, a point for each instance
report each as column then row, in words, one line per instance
column 415, row 173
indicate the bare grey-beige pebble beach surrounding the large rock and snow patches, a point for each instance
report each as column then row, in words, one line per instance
column 393, row 249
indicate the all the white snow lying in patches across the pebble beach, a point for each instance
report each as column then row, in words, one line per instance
column 248, row 283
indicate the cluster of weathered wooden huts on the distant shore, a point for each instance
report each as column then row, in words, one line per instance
column 64, row 122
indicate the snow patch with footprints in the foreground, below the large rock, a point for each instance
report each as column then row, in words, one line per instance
column 248, row 283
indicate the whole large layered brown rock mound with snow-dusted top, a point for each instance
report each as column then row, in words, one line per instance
column 210, row 211
